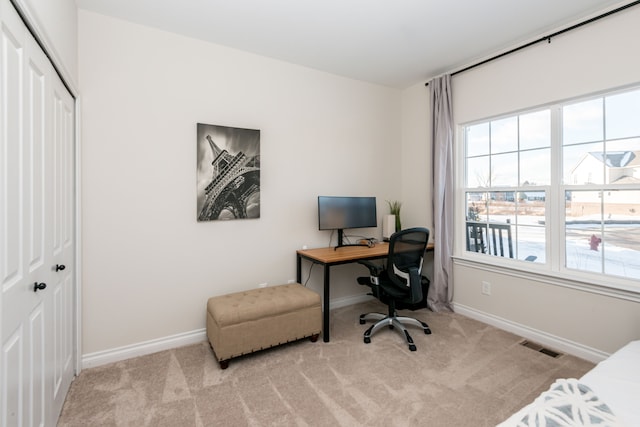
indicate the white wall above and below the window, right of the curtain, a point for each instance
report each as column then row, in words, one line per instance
column 593, row 58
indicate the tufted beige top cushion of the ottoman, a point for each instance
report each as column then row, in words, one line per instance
column 258, row 303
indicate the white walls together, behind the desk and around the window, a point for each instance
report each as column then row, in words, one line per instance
column 149, row 266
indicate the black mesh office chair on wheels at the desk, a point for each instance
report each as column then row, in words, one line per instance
column 400, row 285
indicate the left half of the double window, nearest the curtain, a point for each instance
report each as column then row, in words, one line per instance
column 507, row 179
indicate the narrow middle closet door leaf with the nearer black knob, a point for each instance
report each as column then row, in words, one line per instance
column 37, row 234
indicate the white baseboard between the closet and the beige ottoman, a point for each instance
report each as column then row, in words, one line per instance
column 143, row 348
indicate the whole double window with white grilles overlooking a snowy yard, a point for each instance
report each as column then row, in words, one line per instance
column 558, row 186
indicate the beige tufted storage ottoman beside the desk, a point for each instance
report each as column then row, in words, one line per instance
column 244, row 322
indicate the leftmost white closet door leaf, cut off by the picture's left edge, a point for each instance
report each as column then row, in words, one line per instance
column 14, row 303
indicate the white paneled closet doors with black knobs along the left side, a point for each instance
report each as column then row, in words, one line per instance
column 36, row 230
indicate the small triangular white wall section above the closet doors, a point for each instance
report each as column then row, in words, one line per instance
column 55, row 23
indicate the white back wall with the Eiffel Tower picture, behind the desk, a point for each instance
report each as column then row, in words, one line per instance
column 149, row 266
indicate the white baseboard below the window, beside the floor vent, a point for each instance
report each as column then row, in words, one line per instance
column 540, row 337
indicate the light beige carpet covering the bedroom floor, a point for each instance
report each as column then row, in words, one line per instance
column 465, row 373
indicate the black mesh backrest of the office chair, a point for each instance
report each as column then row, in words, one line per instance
column 406, row 253
